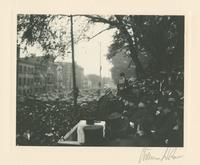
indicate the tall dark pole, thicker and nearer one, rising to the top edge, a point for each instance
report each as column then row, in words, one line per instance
column 73, row 64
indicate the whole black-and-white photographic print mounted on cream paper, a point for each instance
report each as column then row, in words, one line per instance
column 100, row 80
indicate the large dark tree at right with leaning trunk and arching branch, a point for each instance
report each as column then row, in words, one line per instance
column 161, row 37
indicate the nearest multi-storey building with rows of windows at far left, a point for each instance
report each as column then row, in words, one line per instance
column 35, row 74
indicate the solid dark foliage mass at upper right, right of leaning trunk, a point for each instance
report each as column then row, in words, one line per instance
column 162, row 38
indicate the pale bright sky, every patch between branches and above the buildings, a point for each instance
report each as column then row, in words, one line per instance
column 87, row 53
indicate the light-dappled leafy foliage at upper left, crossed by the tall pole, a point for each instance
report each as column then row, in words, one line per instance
column 50, row 32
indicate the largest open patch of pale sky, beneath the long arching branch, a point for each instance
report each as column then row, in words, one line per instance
column 88, row 54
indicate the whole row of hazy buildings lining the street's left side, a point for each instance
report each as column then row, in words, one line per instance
column 39, row 74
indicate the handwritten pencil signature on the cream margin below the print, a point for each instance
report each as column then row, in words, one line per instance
column 168, row 154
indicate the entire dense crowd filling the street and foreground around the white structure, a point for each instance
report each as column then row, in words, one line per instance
column 152, row 106
